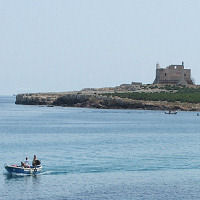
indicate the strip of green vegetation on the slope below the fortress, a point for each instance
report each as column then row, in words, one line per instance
column 181, row 94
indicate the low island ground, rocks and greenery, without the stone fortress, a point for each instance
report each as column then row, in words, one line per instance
column 105, row 98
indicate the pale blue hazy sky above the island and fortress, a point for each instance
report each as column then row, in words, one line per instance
column 65, row 45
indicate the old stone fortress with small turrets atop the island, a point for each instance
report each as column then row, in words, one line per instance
column 173, row 74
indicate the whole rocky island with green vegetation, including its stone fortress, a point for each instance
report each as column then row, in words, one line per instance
column 172, row 89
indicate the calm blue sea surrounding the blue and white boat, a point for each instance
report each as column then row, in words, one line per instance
column 91, row 154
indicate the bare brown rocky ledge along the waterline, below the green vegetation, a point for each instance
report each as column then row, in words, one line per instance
column 100, row 101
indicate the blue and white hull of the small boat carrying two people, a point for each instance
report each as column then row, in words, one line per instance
column 14, row 169
